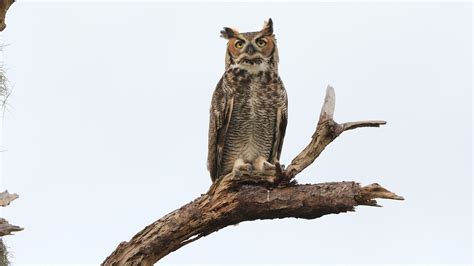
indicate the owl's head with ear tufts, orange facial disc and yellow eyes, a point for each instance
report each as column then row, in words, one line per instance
column 252, row 51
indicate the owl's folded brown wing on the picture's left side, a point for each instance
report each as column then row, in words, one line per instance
column 220, row 114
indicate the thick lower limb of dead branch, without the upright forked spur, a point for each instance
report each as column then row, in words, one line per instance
column 209, row 213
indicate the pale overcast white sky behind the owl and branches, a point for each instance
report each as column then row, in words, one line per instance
column 106, row 128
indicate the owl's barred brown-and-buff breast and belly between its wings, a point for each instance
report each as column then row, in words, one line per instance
column 252, row 125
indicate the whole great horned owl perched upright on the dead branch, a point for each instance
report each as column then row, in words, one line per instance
column 248, row 113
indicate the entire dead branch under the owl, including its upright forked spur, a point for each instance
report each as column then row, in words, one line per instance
column 234, row 199
